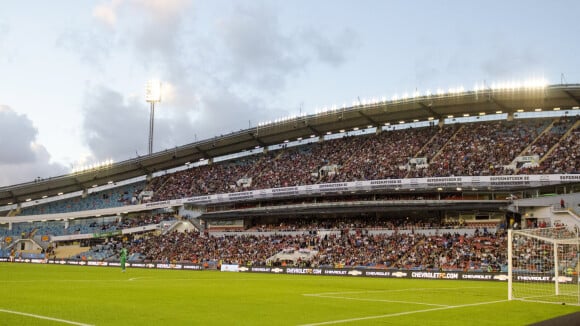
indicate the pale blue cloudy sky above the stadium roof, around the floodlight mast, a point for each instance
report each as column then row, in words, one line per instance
column 73, row 73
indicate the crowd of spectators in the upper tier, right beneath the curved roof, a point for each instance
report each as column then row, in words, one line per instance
column 483, row 148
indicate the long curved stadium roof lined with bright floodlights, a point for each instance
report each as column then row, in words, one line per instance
column 507, row 100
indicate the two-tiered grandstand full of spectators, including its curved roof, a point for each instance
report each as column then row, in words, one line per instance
column 428, row 182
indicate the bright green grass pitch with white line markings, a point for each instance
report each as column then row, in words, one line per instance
column 105, row 296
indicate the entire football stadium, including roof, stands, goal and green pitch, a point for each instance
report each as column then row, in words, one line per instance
column 473, row 195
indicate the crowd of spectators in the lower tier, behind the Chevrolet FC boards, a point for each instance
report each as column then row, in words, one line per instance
column 480, row 250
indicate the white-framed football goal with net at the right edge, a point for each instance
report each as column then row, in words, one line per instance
column 543, row 265
